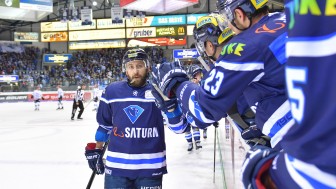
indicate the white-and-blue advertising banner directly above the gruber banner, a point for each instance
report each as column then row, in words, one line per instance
column 156, row 21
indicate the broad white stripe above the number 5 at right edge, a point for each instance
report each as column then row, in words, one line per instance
column 311, row 47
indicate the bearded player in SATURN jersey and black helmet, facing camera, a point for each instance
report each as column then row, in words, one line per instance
column 136, row 155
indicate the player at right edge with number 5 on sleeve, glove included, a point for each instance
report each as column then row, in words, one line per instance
column 309, row 147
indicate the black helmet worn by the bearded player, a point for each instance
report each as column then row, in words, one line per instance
column 135, row 54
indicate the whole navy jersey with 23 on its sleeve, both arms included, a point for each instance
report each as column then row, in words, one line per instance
column 252, row 64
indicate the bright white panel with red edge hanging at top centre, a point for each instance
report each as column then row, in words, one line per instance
column 156, row 6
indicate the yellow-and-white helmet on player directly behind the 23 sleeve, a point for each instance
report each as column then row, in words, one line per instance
column 213, row 28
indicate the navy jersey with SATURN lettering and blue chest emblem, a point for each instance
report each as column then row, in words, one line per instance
column 137, row 145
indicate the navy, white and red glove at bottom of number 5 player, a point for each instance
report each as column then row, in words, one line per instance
column 255, row 167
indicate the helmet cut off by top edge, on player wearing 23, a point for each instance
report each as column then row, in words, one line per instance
column 227, row 7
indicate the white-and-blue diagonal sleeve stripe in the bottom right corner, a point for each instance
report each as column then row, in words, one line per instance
column 314, row 173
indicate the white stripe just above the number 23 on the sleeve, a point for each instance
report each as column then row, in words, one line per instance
column 239, row 66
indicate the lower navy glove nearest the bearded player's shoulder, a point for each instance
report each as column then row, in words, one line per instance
column 163, row 103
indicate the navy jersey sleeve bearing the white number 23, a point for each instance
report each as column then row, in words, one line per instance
column 223, row 85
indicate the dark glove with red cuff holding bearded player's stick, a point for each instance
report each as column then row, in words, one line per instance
column 94, row 157
